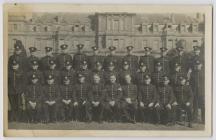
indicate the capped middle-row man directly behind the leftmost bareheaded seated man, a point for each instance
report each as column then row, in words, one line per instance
column 99, row 71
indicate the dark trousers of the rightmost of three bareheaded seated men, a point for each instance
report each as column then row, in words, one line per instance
column 129, row 110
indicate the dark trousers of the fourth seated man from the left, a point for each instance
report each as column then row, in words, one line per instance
column 83, row 112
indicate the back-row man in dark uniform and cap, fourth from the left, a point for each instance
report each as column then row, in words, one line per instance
column 63, row 57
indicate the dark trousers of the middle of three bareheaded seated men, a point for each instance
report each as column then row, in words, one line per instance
column 113, row 113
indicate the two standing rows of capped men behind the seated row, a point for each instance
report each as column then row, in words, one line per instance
column 105, row 66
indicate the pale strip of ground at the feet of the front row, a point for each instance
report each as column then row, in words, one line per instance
column 104, row 126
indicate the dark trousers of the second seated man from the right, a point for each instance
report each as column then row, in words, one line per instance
column 163, row 114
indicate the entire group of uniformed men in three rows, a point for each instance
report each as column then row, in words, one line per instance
column 105, row 88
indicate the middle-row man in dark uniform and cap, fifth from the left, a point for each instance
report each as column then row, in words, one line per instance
column 85, row 71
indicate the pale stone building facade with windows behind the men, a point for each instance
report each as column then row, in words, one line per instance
column 105, row 29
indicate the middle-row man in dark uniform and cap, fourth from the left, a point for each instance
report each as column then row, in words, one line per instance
column 69, row 72
